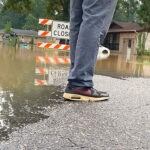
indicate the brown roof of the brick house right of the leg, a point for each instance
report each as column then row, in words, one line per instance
column 117, row 26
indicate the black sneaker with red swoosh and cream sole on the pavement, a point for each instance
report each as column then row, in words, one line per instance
column 84, row 94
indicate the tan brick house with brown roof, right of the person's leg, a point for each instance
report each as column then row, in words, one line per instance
column 120, row 34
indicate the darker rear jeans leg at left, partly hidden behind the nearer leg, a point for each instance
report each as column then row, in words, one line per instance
column 75, row 22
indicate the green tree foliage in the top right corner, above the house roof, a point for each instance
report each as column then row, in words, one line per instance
column 144, row 14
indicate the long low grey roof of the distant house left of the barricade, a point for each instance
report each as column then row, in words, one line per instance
column 23, row 32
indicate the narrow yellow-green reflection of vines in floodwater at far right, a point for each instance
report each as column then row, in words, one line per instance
column 139, row 67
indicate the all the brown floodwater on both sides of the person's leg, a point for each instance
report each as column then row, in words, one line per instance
column 32, row 79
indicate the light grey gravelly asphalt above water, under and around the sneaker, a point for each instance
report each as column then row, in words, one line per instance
column 122, row 123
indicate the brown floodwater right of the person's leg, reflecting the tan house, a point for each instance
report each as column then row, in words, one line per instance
column 119, row 66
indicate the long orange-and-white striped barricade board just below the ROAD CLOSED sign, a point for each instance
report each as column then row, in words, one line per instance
column 53, row 46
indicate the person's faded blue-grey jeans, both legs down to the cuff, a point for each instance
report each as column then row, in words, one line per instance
column 89, row 24
